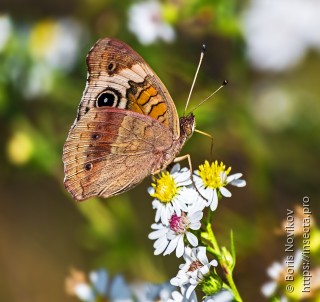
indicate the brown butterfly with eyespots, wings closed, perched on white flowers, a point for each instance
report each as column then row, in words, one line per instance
column 127, row 126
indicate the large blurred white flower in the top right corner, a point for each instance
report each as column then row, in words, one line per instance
column 278, row 33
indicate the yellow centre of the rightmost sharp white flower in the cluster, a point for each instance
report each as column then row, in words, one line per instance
column 212, row 176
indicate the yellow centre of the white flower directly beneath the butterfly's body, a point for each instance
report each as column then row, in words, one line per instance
column 164, row 188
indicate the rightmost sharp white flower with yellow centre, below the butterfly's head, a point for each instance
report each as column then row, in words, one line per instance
column 211, row 179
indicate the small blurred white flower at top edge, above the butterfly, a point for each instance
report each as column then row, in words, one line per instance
column 146, row 22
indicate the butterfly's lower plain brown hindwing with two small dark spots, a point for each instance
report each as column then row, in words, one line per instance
column 110, row 150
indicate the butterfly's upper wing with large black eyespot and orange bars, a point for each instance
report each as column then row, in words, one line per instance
column 119, row 77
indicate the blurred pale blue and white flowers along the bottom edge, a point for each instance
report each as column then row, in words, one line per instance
column 100, row 287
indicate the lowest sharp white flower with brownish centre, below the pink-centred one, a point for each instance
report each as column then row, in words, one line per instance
column 196, row 268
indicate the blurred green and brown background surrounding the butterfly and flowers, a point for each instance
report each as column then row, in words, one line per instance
column 265, row 124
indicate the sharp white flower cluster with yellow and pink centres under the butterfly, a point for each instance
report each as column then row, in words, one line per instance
column 180, row 200
